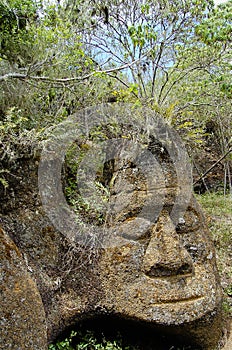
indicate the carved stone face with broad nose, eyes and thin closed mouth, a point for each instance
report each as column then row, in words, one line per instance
column 158, row 272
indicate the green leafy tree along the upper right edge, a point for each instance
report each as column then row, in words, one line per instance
column 204, row 106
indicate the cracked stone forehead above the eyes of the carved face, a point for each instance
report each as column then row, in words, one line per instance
column 133, row 192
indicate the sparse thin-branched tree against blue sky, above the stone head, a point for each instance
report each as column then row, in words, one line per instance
column 147, row 34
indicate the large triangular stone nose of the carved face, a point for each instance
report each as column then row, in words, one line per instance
column 165, row 256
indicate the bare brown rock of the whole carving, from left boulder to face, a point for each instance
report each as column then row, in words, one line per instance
column 153, row 272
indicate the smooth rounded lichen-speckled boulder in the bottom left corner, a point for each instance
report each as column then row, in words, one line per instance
column 23, row 322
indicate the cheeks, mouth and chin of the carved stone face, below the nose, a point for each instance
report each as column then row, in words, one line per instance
column 169, row 300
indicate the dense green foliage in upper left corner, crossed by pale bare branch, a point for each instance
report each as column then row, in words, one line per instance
column 45, row 52
